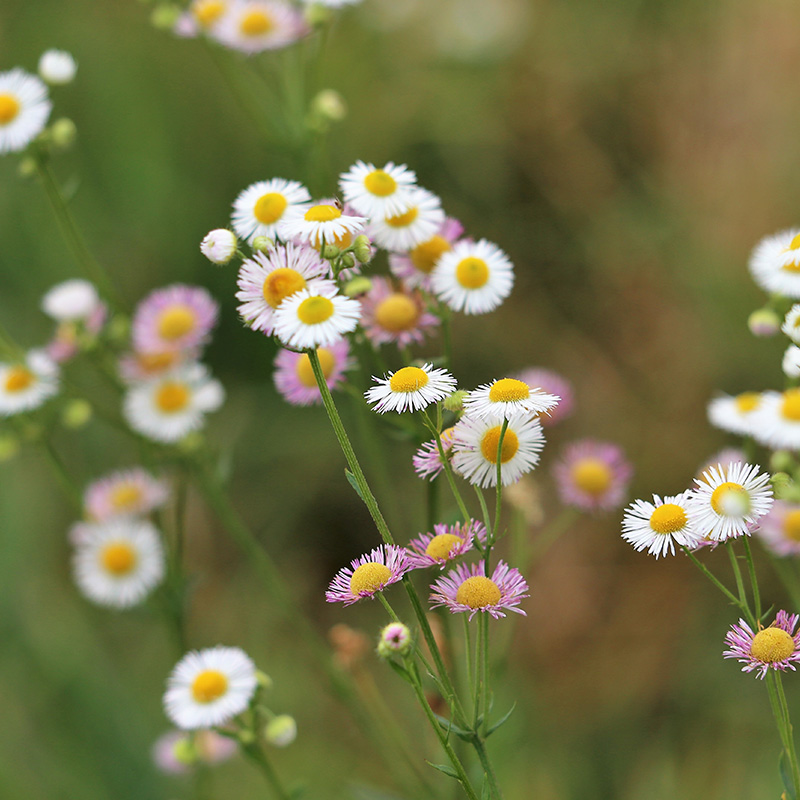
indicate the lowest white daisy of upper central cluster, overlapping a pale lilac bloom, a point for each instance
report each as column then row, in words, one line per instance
column 315, row 317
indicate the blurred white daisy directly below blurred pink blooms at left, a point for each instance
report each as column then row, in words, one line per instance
column 173, row 405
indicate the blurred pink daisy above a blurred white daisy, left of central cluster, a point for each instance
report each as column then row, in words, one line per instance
column 178, row 317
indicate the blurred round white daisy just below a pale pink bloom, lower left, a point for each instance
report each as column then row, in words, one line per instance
column 119, row 562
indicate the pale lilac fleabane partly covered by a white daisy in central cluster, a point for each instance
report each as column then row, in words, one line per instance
column 267, row 279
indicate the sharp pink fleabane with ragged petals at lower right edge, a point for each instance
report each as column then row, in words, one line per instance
column 776, row 647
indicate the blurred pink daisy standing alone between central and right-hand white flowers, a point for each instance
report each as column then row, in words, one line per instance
column 593, row 476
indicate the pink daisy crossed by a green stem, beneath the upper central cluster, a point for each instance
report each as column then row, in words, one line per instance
column 295, row 380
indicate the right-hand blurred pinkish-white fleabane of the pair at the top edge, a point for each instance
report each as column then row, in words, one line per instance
column 252, row 26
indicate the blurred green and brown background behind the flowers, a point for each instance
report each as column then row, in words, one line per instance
column 626, row 155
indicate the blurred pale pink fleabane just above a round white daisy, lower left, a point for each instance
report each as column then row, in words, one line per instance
column 130, row 492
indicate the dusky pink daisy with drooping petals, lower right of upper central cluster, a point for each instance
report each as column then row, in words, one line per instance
column 394, row 315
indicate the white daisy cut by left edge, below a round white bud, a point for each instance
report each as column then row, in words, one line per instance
column 24, row 109
